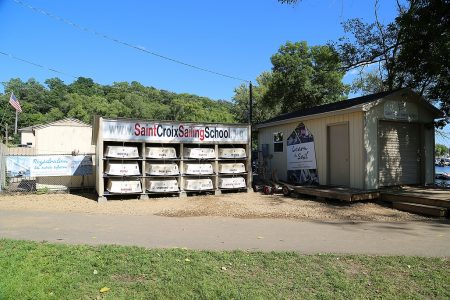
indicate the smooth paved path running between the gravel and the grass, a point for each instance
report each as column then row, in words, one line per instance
column 217, row 233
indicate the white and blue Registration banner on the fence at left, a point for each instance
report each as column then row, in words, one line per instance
column 49, row 165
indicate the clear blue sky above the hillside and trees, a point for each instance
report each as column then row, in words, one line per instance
column 233, row 37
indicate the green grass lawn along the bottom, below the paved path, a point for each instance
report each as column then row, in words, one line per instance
column 31, row 270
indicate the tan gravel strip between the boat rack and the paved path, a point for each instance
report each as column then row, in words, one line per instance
column 239, row 205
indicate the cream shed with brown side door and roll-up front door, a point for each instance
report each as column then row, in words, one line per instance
column 368, row 142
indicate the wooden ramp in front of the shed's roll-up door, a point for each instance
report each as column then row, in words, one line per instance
column 423, row 200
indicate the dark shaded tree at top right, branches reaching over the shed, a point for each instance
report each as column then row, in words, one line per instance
column 413, row 51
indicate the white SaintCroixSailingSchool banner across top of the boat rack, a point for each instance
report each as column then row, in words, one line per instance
column 173, row 132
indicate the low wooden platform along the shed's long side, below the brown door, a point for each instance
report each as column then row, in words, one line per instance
column 339, row 193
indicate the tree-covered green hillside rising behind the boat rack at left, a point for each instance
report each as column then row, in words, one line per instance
column 83, row 99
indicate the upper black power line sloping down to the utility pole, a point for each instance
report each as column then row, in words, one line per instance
column 104, row 36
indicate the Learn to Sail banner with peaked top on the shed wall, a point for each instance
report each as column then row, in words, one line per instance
column 301, row 157
